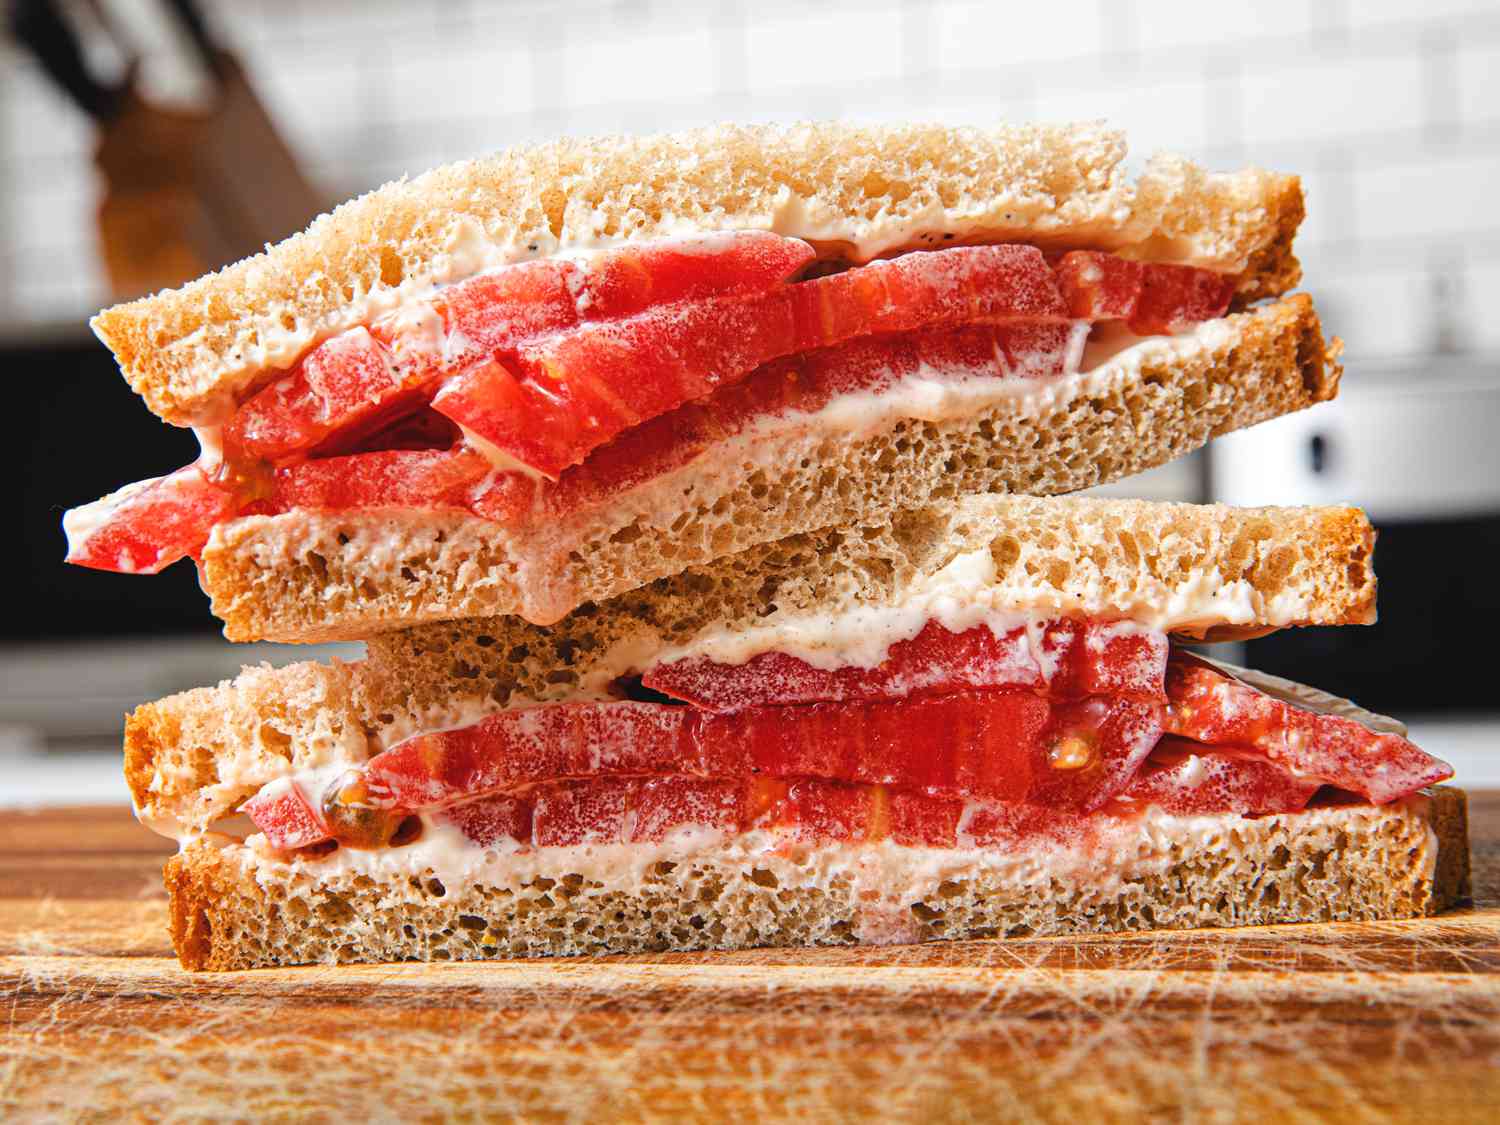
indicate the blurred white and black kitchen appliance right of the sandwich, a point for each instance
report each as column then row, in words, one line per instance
column 1418, row 446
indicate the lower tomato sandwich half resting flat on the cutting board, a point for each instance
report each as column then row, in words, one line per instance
column 973, row 719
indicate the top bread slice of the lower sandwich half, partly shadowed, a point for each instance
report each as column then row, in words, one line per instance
column 193, row 758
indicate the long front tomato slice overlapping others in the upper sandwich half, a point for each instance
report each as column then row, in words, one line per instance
column 569, row 394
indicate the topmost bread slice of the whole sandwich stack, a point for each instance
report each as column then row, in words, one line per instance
column 857, row 193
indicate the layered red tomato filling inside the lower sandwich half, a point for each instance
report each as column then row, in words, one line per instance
column 997, row 736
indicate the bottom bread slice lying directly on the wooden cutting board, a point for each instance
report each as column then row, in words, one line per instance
column 235, row 910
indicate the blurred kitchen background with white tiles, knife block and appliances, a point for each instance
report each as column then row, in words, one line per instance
column 160, row 140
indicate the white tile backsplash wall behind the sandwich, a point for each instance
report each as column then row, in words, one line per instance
column 1391, row 113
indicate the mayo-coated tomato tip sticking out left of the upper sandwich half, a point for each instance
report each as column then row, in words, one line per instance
column 146, row 527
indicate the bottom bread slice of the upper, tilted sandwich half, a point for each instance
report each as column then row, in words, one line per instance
column 347, row 575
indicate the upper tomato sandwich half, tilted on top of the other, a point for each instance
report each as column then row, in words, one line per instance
column 544, row 379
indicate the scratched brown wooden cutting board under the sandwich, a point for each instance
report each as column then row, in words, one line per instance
column 1396, row 1021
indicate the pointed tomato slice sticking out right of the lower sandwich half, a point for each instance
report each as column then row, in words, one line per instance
column 1211, row 707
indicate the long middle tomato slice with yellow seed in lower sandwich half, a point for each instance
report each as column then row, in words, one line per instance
column 1000, row 745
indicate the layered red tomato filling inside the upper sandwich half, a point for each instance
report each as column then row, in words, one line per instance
column 536, row 391
